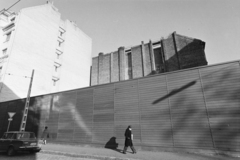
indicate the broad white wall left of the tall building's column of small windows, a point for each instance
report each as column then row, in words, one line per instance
column 33, row 47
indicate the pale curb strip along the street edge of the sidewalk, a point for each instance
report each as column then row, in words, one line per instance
column 85, row 155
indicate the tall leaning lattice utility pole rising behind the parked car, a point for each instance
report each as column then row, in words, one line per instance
column 25, row 111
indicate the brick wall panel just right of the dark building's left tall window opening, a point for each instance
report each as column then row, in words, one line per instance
column 137, row 68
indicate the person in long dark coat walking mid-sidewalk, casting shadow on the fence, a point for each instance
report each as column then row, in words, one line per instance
column 128, row 140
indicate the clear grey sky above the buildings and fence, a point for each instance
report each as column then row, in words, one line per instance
column 114, row 23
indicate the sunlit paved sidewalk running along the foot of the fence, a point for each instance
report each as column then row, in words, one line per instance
column 109, row 154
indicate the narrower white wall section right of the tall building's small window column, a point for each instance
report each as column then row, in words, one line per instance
column 76, row 58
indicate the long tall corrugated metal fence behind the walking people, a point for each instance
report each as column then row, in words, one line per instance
column 194, row 108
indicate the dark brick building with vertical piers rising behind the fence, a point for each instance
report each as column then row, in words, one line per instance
column 164, row 55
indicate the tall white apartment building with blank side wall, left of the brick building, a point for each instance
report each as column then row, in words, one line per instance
column 37, row 38
